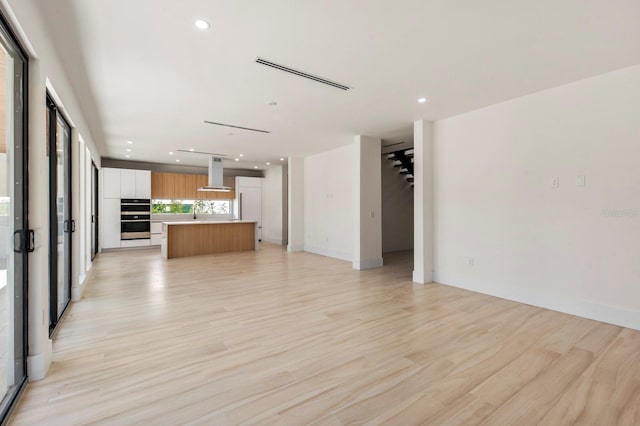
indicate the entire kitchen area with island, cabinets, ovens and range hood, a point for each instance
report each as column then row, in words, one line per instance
column 184, row 212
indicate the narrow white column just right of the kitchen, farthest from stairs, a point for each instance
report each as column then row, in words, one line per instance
column 296, row 204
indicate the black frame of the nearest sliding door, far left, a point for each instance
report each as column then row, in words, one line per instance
column 25, row 235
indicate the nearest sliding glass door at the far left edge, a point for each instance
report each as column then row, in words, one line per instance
column 15, row 240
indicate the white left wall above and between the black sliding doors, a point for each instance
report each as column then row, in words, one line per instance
column 46, row 71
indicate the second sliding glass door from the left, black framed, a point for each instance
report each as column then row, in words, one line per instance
column 61, row 224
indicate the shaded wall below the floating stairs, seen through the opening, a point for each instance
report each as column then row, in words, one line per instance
column 397, row 209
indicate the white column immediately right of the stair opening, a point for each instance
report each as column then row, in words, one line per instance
column 423, row 202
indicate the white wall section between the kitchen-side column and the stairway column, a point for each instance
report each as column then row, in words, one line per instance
column 328, row 203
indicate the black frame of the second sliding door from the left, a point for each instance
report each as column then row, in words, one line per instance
column 54, row 314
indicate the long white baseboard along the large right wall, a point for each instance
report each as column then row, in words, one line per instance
column 582, row 308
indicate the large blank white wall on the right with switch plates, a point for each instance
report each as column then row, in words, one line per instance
column 573, row 249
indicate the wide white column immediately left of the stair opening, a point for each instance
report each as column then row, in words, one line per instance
column 367, row 251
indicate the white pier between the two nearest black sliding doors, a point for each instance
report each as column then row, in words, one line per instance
column 40, row 346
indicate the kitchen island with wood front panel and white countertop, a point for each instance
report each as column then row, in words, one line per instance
column 197, row 238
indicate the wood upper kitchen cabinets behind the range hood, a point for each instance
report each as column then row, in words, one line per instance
column 179, row 186
